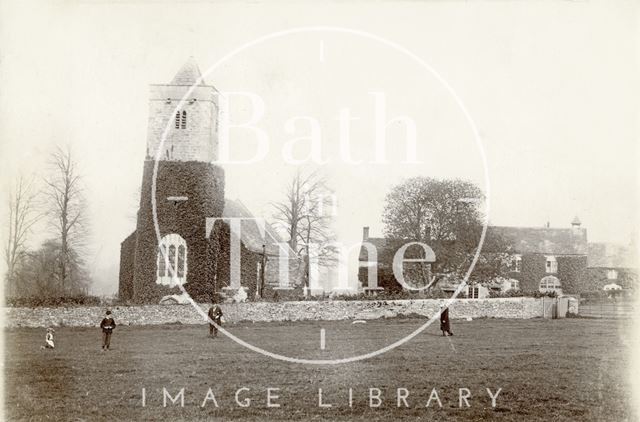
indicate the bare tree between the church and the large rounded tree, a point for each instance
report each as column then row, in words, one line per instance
column 305, row 215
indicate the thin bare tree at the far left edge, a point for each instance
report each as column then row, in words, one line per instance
column 23, row 215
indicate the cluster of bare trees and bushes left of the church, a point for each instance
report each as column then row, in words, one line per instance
column 56, row 202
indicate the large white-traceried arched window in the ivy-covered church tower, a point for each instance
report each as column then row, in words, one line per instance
column 172, row 260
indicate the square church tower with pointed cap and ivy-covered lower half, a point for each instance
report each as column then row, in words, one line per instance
column 189, row 188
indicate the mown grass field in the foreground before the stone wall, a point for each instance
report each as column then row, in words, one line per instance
column 574, row 369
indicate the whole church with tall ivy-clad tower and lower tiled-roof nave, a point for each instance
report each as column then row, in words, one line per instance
column 179, row 247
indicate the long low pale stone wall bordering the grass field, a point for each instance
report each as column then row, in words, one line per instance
column 519, row 308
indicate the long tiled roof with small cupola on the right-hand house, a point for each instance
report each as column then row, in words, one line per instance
column 543, row 240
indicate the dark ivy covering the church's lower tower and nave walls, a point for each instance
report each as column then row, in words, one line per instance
column 208, row 259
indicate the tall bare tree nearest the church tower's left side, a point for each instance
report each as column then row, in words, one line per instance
column 67, row 211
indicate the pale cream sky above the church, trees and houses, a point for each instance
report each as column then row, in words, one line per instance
column 552, row 88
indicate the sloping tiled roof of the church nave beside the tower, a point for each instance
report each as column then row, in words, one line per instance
column 251, row 235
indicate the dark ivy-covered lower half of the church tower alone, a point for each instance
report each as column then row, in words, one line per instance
column 203, row 185
